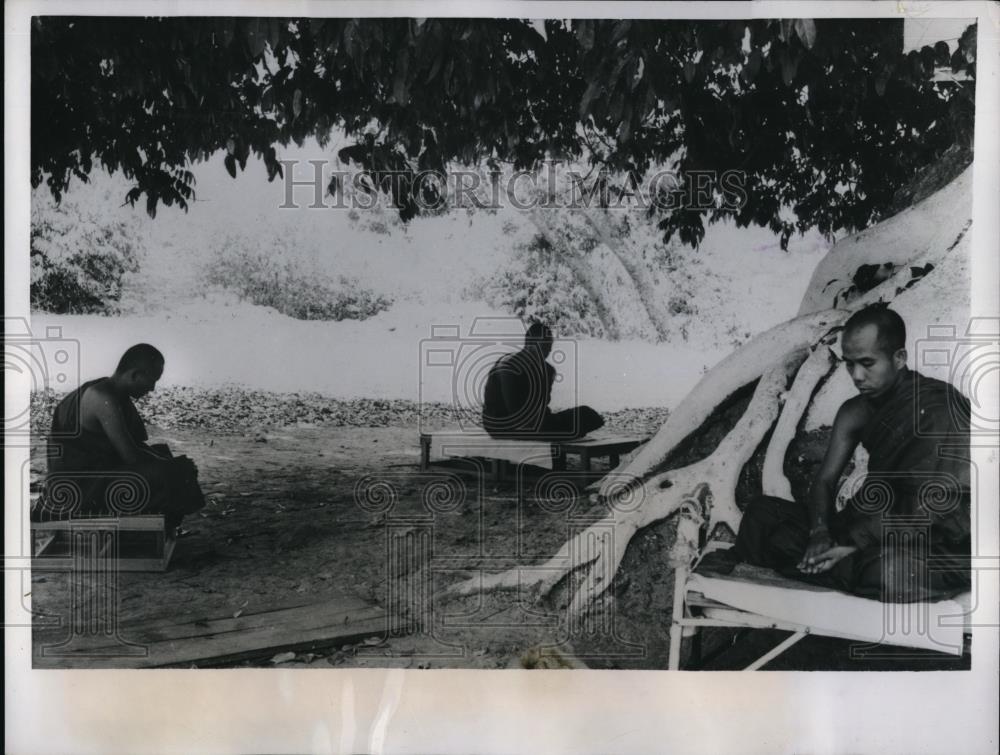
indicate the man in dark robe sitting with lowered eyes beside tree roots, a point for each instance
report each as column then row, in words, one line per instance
column 904, row 535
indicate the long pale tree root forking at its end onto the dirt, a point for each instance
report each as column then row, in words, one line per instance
column 600, row 548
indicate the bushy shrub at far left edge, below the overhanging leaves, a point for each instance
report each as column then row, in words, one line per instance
column 79, row 258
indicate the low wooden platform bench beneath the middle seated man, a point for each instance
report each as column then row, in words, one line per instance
column 545, row 454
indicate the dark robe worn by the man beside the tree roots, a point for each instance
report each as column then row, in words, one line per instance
column 910, row 519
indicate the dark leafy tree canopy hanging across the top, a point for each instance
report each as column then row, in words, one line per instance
column 807, row 110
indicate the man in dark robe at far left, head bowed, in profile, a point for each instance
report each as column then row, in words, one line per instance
column 99, row 461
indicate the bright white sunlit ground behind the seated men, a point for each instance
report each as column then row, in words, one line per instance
column 211, row 338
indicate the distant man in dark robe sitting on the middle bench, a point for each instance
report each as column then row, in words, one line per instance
column 517, row 394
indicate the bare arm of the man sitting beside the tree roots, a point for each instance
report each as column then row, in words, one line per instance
column 851, row 419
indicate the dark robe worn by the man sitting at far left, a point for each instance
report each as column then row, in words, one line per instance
column 87, row 477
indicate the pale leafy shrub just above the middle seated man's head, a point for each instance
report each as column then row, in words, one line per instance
column 535, row 285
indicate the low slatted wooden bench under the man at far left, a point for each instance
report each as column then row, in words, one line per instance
column 138, row 543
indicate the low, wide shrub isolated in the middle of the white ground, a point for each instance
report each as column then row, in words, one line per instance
column 278, row 280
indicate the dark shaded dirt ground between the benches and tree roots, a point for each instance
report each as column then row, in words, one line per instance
column 322, row 512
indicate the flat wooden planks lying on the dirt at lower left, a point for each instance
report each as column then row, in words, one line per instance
column 219, row 641
